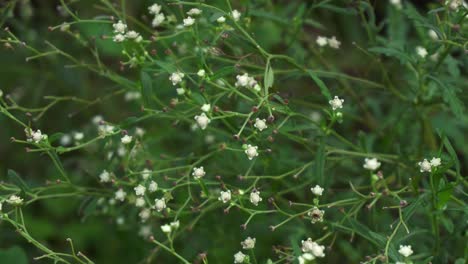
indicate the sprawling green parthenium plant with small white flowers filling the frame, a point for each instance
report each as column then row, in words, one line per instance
column 238, row 150
